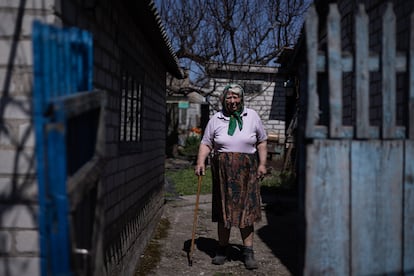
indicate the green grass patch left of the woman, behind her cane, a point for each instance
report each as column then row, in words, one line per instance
column 186, row 182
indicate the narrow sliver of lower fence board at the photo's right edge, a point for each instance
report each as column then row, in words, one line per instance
column 409, row 207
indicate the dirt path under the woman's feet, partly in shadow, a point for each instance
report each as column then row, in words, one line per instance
column 276, row 243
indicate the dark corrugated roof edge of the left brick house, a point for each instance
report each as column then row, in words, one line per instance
column 155, row 31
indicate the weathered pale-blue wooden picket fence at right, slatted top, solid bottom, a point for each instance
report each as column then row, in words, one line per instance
column 359, row 179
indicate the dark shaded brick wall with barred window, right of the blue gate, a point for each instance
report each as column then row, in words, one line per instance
column 132, row 188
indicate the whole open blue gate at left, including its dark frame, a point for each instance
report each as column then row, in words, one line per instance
column 67, row 125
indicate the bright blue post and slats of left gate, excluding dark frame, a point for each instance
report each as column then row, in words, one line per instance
column 63, row 64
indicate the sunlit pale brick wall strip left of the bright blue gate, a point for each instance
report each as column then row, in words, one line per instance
column 19, row 238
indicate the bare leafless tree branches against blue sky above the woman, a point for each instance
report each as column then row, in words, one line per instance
column 230, row 31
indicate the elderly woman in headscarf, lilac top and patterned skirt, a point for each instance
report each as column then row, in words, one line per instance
column 237, row 139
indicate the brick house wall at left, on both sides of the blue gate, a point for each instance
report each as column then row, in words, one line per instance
column 132, row 187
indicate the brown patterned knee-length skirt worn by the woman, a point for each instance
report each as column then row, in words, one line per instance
column 236, row 190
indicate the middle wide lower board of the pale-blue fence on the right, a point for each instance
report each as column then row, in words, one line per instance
column 376, row 196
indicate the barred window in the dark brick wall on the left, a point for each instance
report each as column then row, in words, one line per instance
column 131, row 100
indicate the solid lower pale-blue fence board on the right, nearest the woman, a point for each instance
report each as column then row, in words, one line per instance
column 327, row 208
